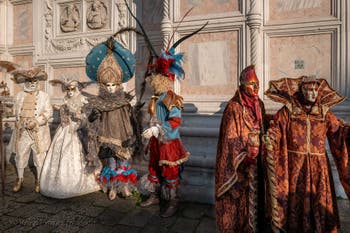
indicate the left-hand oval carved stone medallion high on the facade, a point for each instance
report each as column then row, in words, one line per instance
column 70, row 18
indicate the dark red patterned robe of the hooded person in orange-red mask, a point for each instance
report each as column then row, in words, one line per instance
column 236, row 182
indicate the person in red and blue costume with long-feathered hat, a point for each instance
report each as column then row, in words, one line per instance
column 165, row 148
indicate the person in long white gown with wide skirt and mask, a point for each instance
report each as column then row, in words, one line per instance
column 65, row 173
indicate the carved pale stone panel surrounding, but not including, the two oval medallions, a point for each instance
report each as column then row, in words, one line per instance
column 53, row 45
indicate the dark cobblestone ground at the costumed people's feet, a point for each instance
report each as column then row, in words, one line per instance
column 28, row 211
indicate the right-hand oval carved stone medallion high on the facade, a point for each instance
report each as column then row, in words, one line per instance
column 97, row 15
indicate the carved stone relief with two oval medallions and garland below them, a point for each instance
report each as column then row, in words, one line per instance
column 72, row 18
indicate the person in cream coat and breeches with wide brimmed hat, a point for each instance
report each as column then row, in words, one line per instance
column 32, row 133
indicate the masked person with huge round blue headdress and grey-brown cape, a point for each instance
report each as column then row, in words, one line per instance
column 111, row 133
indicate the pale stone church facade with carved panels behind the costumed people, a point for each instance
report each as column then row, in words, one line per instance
column 283, row 38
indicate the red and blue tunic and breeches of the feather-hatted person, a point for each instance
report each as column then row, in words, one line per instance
column 166, row 151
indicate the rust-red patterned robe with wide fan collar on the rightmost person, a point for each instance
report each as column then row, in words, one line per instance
column 300, row 178
